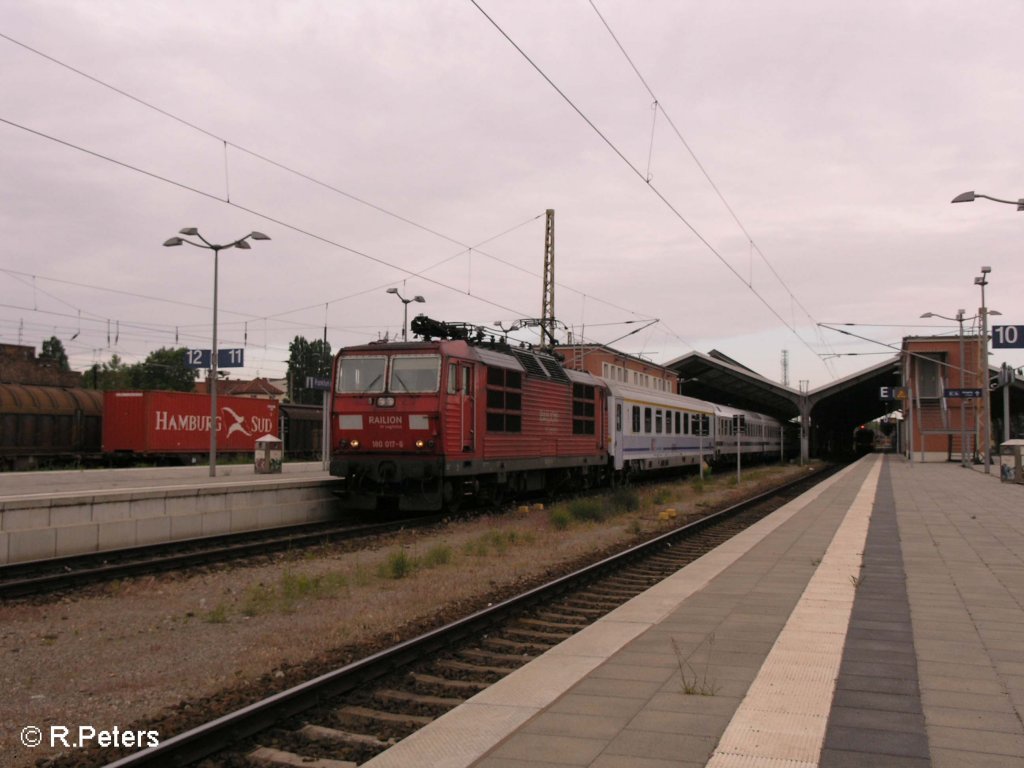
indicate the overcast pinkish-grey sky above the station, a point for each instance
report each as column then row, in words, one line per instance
column 798, row 170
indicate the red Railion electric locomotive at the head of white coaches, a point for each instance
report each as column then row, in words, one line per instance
column 420, row 426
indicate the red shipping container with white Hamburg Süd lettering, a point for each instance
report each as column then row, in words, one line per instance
column 159, row 422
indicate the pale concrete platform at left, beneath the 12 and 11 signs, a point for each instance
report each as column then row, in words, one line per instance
column 56, row 515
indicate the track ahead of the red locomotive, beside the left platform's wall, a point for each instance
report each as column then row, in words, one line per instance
column 41, row 577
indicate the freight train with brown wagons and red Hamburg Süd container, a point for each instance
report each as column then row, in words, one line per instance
column 44, row 426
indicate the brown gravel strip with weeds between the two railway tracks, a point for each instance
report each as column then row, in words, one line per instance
column 166, row 653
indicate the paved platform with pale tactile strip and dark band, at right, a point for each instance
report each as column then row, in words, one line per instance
column 876, row 621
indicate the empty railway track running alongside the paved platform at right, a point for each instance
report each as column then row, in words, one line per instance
column 348, row 716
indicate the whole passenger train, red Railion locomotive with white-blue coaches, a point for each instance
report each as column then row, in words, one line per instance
column 419, row 426
